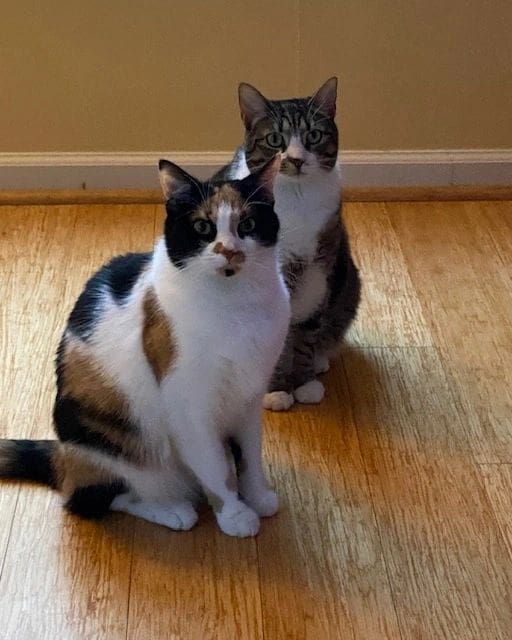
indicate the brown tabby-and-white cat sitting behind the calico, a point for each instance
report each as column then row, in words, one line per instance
column 317, row 264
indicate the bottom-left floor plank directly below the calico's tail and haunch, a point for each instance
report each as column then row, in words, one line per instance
column 64, row 577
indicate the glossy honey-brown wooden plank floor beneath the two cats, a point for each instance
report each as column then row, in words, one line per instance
column 396, row 492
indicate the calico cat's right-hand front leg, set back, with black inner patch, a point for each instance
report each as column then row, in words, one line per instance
column 252, row 483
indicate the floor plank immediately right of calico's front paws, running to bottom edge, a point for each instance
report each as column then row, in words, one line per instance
column 321, row 567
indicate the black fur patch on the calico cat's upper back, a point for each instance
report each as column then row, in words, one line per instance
column 118, row 277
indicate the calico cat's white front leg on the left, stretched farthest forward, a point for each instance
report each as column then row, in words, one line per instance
column 203, row 451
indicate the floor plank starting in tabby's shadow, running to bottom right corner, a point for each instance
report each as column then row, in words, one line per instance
column 443, row 550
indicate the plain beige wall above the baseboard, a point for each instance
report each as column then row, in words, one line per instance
column 106, row 75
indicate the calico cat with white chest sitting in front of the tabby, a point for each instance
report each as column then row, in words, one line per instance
column 164, row 363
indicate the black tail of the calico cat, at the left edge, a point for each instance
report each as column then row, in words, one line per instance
column 29, row 460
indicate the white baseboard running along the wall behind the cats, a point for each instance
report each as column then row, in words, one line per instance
column 138, row 170
